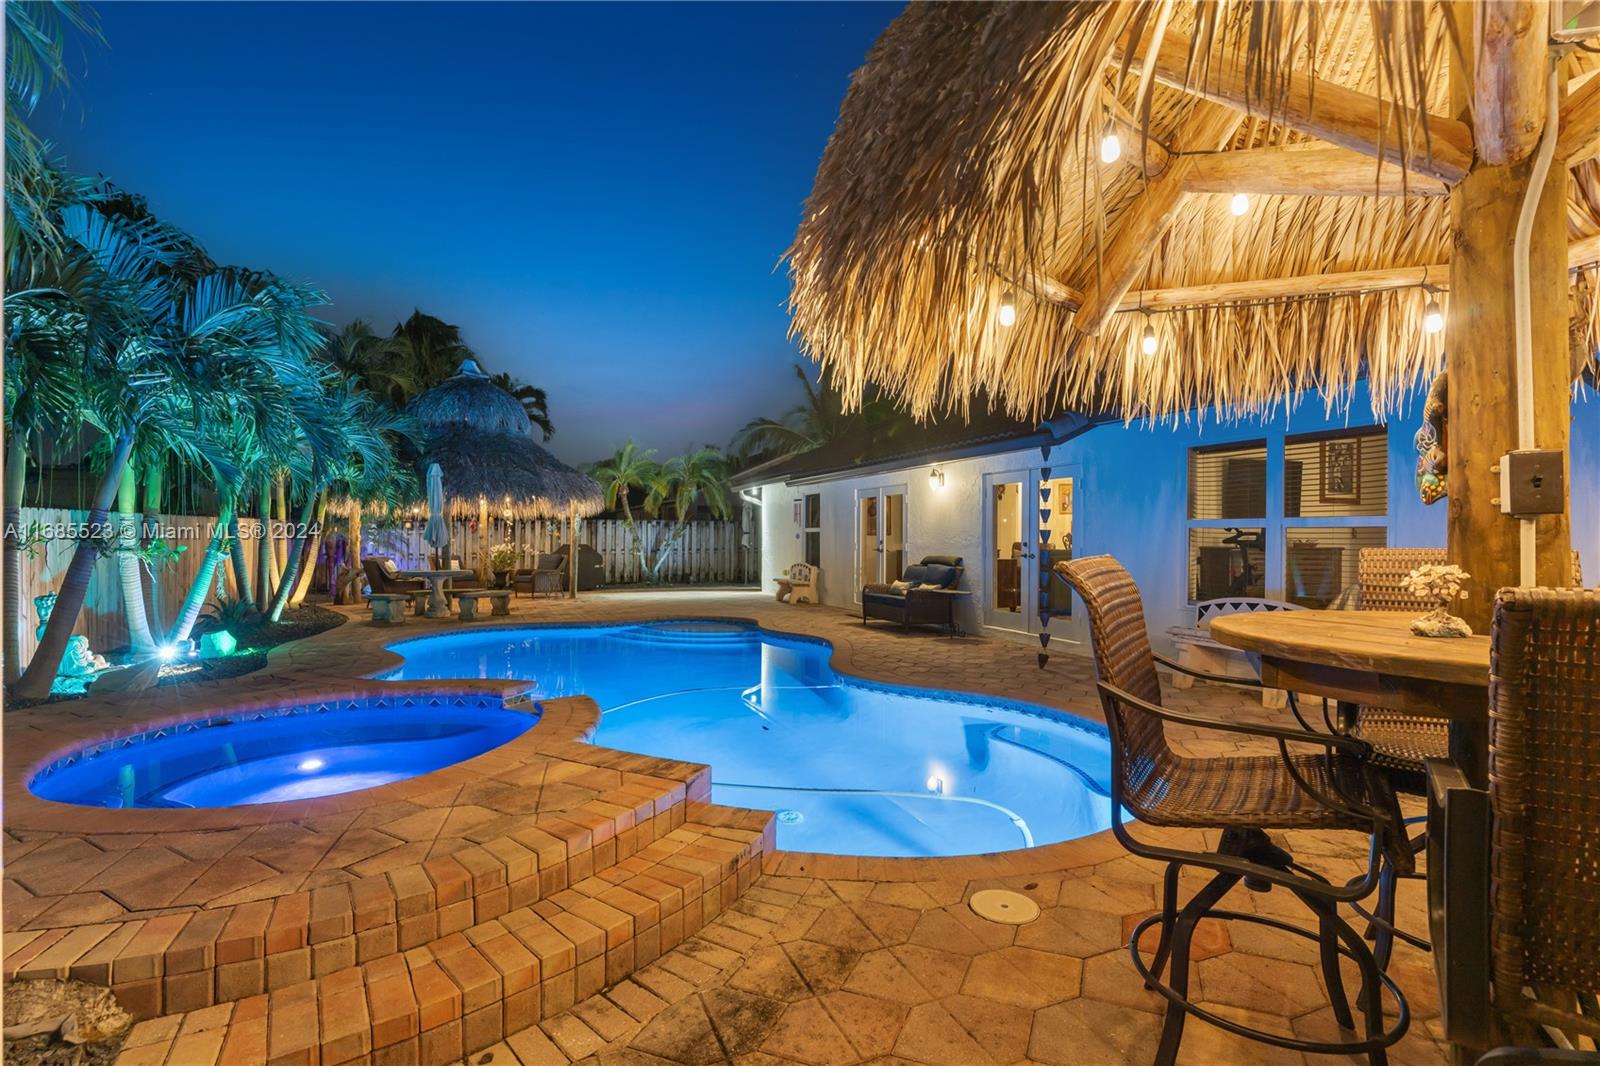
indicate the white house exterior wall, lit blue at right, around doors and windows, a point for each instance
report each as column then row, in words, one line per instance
column 1130, row 489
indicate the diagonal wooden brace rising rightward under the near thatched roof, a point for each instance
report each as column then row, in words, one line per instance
column 1142, row 225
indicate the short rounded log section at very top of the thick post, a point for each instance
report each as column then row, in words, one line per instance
column 1508, row 86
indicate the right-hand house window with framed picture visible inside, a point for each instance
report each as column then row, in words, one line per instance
column 1337, row 484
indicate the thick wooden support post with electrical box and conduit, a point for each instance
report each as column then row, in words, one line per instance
column 1481, row 348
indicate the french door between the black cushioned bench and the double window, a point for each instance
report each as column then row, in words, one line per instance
column 1028, row 529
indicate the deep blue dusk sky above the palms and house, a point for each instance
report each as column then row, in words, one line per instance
column 596, row 194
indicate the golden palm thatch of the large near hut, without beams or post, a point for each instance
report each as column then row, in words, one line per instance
column 966, row 166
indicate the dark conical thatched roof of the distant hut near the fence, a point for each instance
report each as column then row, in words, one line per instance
column 486, row 451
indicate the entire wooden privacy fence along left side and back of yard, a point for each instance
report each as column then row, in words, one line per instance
column 710, row 553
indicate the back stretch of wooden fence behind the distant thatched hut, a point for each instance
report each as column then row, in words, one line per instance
column 708, row 553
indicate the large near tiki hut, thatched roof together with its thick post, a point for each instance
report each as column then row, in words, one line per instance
column 1156, row 207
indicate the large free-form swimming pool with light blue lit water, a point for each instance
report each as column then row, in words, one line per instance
column 850, row 767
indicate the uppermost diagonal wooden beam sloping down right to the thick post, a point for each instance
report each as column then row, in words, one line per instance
column 1324, row 110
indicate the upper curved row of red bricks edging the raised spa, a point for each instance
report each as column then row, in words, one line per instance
column 191, row 960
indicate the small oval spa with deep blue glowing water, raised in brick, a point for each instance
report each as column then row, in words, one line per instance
column 297, row 751
